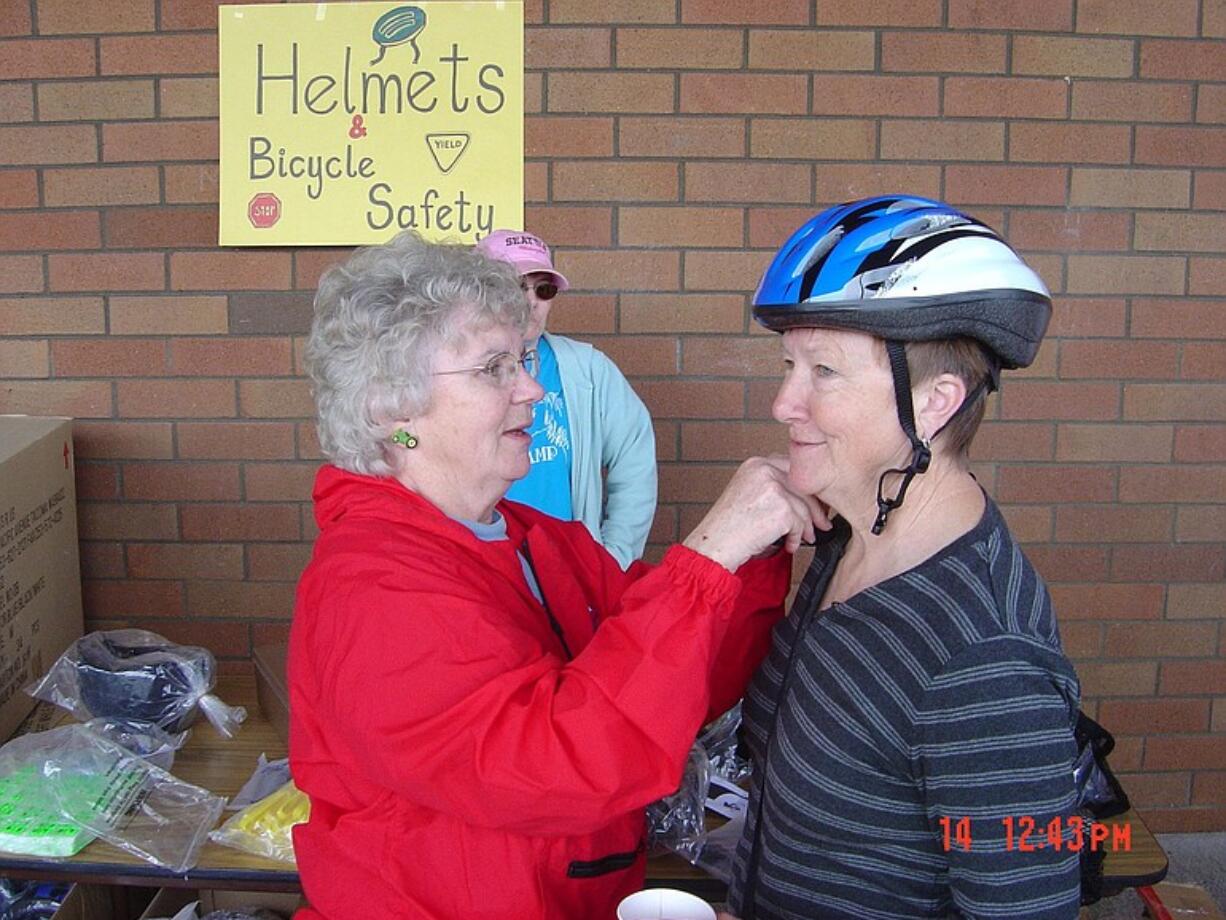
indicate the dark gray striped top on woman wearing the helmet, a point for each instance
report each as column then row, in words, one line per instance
column 940, row 694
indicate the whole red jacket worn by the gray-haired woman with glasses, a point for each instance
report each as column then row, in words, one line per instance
column 458, row 764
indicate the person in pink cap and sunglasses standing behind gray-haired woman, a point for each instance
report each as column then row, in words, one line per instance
column 594, row 451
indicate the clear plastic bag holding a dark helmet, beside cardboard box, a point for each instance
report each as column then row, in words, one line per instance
column 142, row 677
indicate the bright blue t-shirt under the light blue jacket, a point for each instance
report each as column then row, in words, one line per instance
column 547, row 486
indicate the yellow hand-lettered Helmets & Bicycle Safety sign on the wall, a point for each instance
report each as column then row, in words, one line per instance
column 348, row 123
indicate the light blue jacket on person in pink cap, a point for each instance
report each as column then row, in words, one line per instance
column 611, row 432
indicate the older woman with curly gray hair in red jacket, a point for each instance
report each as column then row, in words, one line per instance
column 482, row 701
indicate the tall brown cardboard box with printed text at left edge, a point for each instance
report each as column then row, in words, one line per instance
column 40, row 569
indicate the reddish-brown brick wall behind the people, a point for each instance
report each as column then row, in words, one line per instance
column 671, row 147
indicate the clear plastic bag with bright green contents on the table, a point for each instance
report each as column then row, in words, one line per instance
column 91, row 787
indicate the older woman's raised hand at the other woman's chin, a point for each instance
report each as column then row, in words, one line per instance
column 756, row 511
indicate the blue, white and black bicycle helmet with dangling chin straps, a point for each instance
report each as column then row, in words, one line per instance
column 908, row 269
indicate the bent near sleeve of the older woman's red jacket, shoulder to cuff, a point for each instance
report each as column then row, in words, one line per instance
column 473, row 718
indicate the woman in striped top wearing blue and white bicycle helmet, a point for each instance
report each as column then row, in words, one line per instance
column 913, row 726
